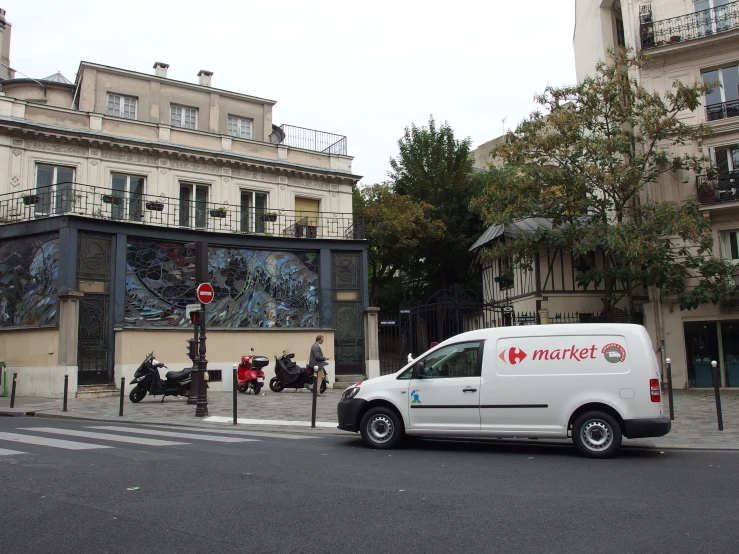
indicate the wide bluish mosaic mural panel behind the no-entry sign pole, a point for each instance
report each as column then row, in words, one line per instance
column 253, row 288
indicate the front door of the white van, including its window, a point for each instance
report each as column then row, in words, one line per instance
column 444, row 392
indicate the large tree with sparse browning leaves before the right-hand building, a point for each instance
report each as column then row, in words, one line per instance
column 586, row 165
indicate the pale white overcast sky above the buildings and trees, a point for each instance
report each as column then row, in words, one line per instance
column 361, row 69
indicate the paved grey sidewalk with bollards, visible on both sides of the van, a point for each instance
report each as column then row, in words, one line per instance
column 694, row 425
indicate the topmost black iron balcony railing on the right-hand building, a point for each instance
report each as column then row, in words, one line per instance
column 688, row 27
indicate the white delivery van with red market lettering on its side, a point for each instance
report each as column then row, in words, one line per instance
column 591, row 382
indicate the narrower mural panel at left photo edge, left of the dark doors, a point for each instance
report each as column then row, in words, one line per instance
column 29, row 271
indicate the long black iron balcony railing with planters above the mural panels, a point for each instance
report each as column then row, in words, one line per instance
column 104, row 203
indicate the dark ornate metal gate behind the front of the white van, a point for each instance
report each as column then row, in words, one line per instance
column 444, row 314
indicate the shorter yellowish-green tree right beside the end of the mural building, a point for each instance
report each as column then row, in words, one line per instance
column 396, row 227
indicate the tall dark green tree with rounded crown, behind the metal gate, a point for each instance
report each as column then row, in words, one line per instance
column 435, row 168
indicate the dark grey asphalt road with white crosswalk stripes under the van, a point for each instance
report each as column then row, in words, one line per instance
column 282, row 493
